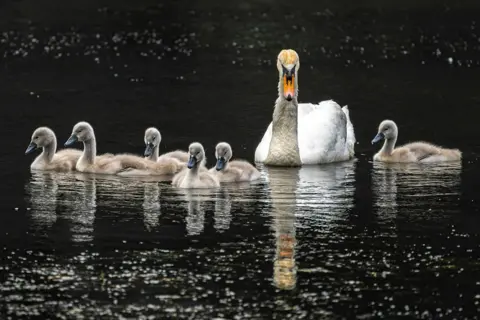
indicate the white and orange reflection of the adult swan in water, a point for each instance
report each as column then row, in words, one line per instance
column 318, row 194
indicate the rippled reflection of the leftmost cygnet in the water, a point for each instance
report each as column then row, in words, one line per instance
column 42, row 190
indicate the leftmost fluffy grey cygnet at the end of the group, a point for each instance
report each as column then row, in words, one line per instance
column 49, row 159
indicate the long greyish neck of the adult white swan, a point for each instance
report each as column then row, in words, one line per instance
column 283, row 150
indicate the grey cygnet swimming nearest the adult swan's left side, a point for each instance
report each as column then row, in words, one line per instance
column 232, row 171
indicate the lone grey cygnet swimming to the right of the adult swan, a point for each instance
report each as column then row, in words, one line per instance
column 411, row 152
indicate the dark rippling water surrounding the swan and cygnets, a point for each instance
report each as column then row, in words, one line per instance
column 347, row 240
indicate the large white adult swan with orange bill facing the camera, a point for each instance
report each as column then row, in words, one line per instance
column 304, row 133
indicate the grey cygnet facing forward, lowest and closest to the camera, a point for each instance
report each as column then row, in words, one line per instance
column 196, row 175
